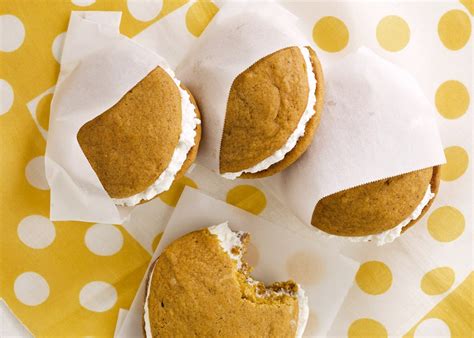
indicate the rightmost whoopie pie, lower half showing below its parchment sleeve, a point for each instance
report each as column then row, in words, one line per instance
column 378, row 211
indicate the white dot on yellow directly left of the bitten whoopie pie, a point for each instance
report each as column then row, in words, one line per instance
column 98, row 296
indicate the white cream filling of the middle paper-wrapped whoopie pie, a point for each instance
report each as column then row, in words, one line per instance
column 297, row 133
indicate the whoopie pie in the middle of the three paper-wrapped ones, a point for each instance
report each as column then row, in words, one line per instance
column 273, row 111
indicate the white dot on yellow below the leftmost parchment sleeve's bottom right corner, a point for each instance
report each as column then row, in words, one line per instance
column 103, row 239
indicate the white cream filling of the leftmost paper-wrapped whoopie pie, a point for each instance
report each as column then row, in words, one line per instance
column 189, row 122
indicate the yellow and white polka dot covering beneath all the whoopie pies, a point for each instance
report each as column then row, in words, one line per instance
column 71, row 278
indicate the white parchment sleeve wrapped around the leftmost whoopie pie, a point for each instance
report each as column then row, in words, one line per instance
column 98, row 66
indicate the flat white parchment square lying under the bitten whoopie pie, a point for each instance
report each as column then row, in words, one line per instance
column 277, row 246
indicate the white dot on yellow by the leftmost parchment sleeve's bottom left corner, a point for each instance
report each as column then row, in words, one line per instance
column 36, row 231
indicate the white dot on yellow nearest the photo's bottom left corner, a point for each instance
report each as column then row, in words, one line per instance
column 31, row 288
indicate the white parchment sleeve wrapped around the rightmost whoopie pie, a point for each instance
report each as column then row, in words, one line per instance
column 376, row 123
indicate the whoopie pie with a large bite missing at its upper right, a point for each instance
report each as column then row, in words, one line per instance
column 200, row 287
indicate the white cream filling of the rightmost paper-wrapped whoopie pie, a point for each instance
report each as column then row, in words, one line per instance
column 390, row 235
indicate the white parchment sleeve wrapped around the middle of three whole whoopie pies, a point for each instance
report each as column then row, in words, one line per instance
column 239, row 35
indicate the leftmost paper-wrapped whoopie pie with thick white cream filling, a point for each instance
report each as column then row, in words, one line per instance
column 145, row 141
